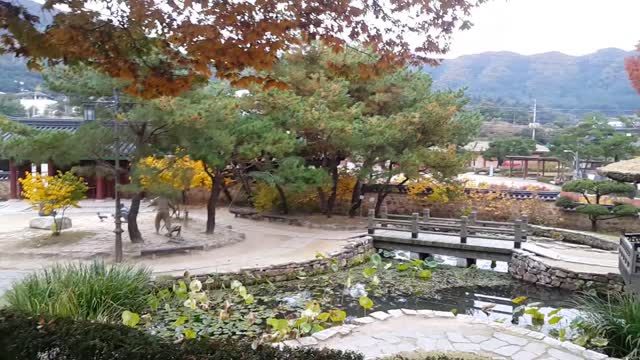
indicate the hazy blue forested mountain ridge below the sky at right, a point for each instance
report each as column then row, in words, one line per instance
column 593, row 81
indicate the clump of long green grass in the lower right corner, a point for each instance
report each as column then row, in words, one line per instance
column 616, row 318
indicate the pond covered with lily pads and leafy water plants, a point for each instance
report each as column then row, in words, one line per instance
column 394, row 284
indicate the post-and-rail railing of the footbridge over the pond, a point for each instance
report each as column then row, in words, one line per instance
column 465, row 227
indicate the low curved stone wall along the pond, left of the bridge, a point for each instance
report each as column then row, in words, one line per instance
column 354, row 253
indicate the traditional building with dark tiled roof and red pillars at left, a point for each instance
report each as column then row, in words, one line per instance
column 100, row 187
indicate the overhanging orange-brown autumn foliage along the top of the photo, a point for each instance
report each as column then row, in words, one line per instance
column 166, row 47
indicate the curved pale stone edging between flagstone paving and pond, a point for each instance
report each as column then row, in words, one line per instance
column 535, row 337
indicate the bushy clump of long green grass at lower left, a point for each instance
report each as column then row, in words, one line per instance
column 81, row 291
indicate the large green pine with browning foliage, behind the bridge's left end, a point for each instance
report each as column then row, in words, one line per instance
column 388, row 123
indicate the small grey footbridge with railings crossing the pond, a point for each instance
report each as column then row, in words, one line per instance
column 466, row 237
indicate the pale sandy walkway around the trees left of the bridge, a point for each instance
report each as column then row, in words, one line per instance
column 265, row 243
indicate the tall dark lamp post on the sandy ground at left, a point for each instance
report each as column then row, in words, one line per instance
column 90, row 115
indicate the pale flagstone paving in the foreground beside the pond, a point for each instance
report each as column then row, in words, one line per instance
column 399, row 331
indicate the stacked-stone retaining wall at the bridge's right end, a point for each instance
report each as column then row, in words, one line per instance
column 530, row 268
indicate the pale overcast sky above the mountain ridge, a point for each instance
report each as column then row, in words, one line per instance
column 574, row 27
